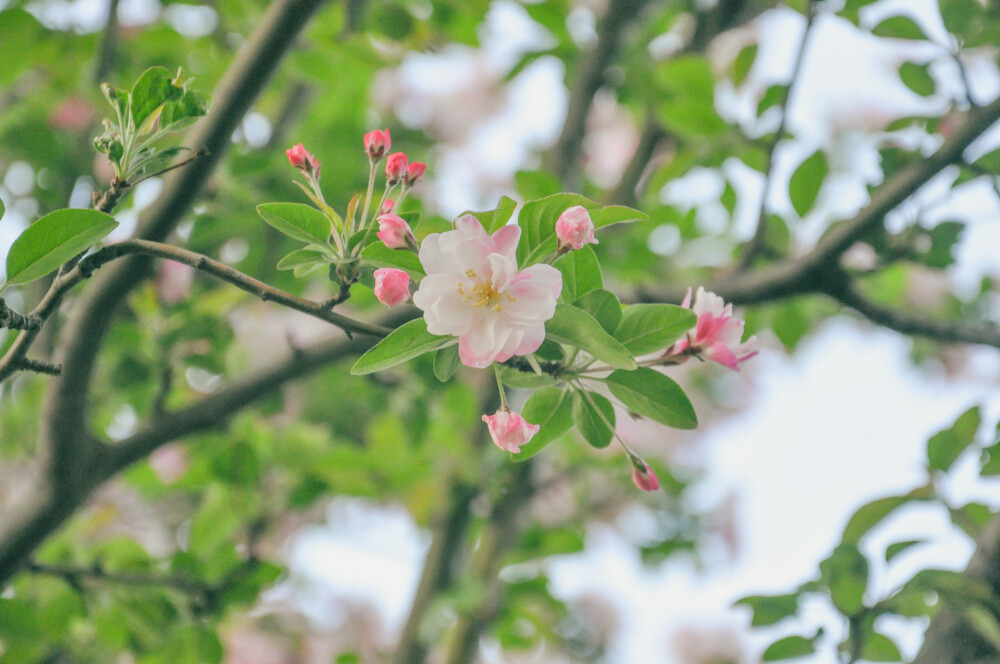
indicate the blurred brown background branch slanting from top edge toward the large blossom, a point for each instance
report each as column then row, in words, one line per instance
column 589, row 78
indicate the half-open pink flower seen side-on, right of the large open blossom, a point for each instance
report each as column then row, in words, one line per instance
column 718, row 333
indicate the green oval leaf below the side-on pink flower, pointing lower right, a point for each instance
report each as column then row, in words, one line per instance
column 654, row 395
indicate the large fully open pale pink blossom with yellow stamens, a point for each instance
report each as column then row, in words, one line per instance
column 474, row 291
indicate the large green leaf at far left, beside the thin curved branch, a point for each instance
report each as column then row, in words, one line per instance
column 53, row 240
